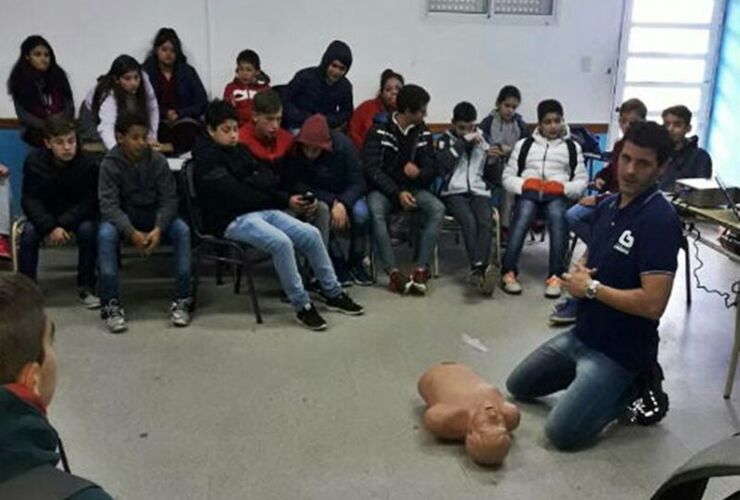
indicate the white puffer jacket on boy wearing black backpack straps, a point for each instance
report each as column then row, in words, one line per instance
column 547, row 160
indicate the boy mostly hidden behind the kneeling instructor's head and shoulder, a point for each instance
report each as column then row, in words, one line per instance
column 578, row 216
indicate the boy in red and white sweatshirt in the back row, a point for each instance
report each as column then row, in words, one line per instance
column 249, row 80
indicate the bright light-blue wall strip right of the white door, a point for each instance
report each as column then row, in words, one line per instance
column 724, row 127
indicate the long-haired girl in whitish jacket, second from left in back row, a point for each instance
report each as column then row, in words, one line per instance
column 124, row 89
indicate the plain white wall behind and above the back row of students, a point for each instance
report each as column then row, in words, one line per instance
column 456, row 57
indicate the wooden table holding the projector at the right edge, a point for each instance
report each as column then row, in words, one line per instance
column 723, row 217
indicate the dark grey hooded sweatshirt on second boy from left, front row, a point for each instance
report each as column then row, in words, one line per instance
column 137, row 196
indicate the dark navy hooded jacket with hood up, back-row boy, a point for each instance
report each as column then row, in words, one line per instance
column 309, row 93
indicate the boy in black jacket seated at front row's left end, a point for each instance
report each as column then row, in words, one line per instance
column 60, row 198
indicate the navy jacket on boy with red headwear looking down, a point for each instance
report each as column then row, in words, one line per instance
column 335, row 175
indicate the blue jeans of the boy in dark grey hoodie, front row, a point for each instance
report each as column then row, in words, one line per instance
column 176, row 234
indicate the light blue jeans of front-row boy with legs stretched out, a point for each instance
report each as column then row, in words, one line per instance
column 280, row 234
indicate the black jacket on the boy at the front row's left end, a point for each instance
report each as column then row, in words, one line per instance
column 54, row 195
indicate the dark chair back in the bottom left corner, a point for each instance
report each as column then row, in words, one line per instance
column 44, row 483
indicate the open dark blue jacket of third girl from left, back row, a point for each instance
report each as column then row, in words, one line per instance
column 191, row 95
